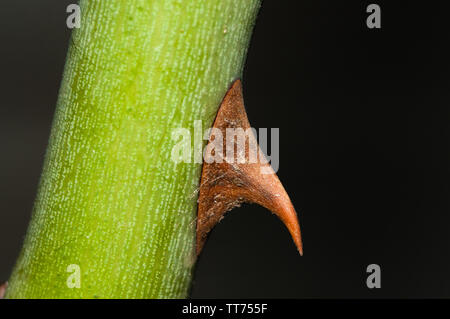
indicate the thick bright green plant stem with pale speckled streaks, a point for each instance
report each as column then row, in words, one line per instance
column 111, row 200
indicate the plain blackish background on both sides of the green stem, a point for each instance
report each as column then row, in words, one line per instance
column 364, row 131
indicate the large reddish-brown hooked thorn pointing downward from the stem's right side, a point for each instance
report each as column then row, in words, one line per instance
column 228, row 182
